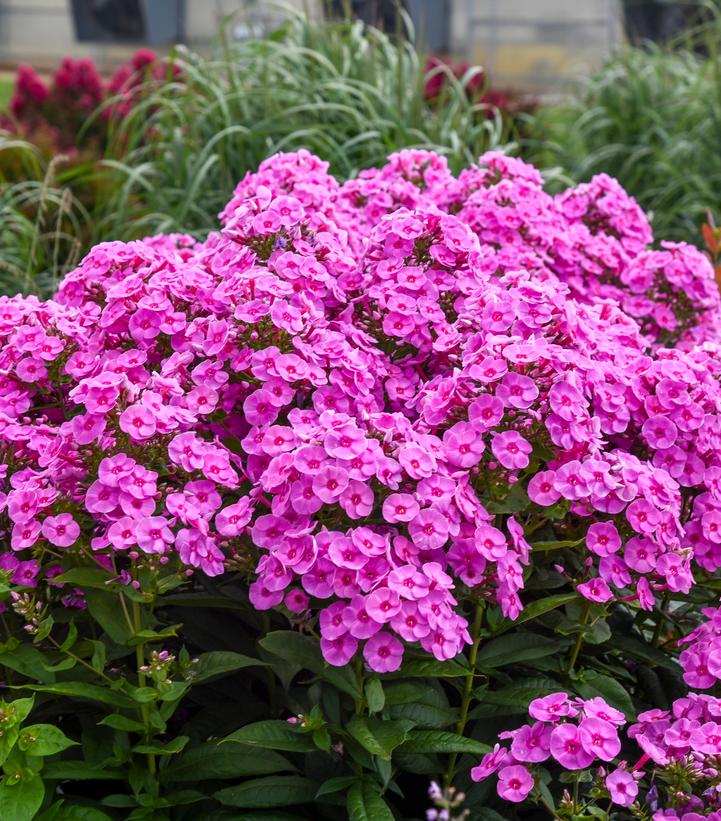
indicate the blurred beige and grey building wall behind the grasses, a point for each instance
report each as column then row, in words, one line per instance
column 537, row 45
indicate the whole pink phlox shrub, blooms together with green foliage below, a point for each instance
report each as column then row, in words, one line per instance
column 353, row 483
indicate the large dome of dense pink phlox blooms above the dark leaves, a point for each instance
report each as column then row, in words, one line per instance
column 371, row 394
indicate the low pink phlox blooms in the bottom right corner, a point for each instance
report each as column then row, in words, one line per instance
column 680, row 748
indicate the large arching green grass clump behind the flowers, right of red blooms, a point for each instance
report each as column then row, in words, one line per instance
column 348, row 93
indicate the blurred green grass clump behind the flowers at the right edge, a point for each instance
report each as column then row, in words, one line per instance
column 651, row 117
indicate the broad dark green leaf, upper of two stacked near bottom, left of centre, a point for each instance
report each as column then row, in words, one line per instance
column 210, row 760
